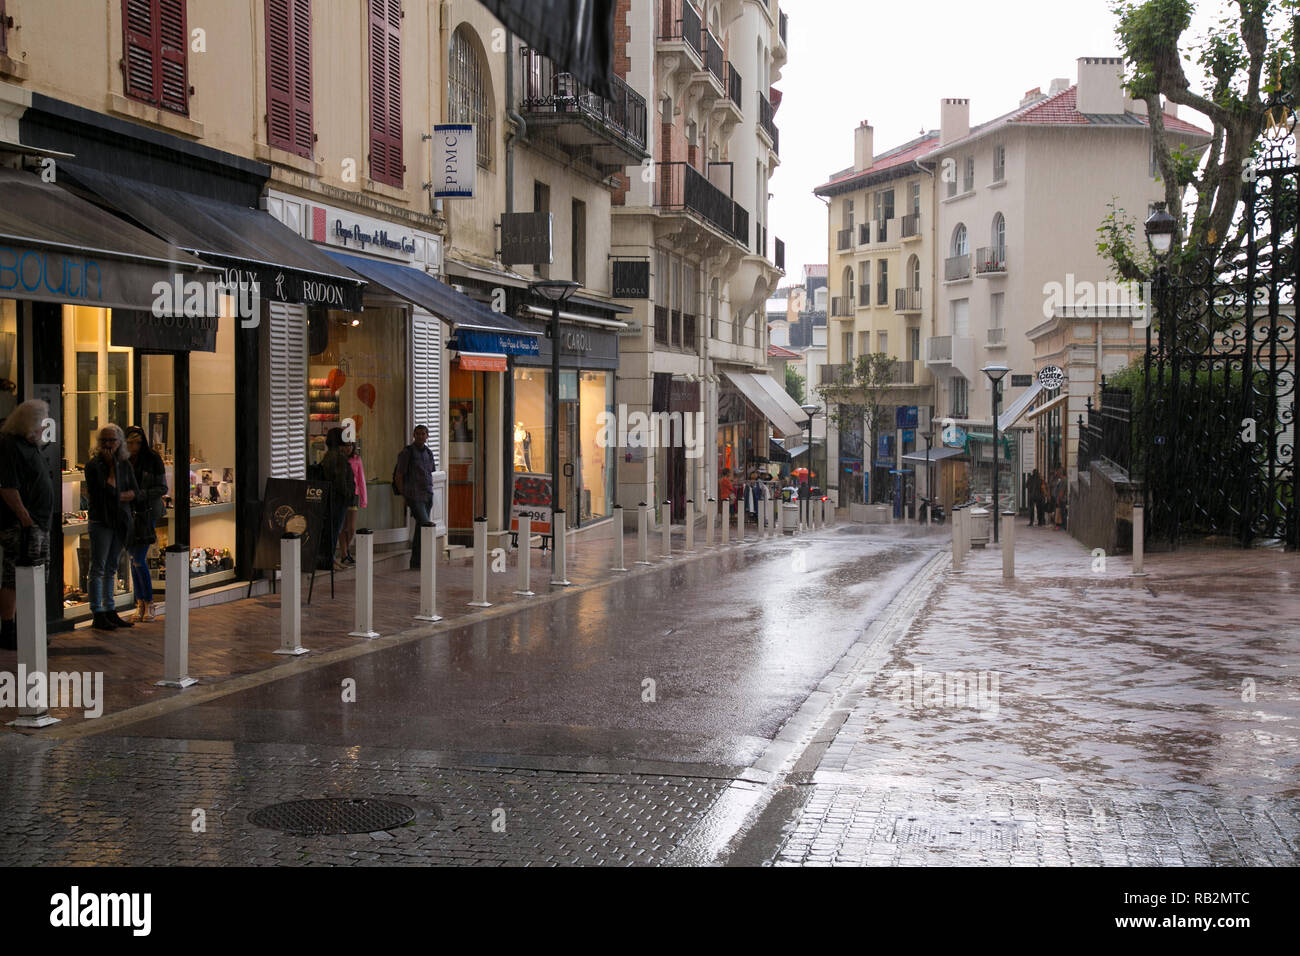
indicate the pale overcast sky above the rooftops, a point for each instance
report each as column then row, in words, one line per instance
column 891, row 63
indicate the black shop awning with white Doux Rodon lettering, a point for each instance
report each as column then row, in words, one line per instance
column 249, row 244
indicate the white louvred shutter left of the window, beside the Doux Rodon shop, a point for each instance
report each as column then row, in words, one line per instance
column 288, row 390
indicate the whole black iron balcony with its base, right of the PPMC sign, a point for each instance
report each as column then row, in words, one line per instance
column 610, row 135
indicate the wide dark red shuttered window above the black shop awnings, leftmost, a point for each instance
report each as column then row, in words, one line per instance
column 154, row 66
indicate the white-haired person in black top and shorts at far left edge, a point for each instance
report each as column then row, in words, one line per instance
column 27, row 507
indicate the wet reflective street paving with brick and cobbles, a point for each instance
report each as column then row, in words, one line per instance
column 842, row 698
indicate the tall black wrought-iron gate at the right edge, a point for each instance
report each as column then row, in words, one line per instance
column 1217, row 416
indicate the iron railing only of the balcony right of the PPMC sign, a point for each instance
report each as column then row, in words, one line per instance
column 544, row 92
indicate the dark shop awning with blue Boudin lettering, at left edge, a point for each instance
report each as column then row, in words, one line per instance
column 58, row 248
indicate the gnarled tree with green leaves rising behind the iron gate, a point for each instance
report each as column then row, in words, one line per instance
column 1250, row 63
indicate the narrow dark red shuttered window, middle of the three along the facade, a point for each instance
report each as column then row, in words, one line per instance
column 289, row 76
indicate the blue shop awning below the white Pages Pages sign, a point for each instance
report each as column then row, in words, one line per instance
column 479, row 330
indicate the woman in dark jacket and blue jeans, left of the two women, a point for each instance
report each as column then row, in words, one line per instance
column 111, row 488
